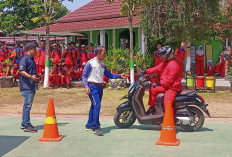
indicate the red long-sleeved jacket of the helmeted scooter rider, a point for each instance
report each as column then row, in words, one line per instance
column 170, row 74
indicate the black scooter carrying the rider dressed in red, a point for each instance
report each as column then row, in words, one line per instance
column 188, row 108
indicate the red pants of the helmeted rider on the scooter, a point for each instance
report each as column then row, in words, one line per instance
column 169, row 95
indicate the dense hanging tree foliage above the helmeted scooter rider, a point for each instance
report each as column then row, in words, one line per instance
column 173, row 21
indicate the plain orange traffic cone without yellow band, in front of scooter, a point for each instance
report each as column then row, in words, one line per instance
column 168, row 132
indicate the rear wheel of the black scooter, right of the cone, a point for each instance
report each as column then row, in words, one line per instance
column 198, row 120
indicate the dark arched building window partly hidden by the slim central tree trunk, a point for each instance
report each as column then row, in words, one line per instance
column 124, row 39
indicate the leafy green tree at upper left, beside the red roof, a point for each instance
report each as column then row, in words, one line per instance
column 19, row 14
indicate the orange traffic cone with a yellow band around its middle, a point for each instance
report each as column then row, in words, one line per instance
column 51, row 132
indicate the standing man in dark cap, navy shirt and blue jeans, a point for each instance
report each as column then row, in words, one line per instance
column 28, row 84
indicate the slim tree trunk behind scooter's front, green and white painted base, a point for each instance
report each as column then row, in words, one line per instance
column 132, row 78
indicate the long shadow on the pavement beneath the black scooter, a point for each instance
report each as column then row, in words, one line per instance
column 149, row 127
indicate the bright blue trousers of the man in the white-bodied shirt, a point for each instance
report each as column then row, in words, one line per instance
column 95, row 96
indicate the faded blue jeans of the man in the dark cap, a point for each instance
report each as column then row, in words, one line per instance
column 28, row 100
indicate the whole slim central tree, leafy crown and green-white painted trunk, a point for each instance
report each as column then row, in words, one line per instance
column 130, row 8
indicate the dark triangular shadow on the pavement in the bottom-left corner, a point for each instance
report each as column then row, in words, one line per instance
column 8, row 143
